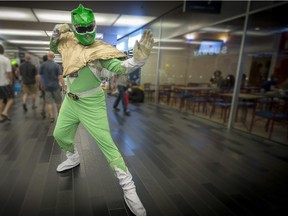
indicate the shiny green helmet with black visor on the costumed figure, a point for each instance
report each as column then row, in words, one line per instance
column 83, row 25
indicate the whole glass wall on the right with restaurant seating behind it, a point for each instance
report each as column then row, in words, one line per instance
column 245, row 42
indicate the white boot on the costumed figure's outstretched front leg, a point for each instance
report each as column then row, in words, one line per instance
column 130, row 196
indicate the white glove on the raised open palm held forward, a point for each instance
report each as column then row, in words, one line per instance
column 143, row 48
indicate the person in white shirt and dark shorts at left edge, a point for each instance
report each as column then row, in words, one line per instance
column 6, row 86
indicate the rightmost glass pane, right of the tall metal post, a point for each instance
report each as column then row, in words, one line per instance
column 265, row 63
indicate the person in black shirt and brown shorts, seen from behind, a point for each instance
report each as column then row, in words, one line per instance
column 28, row 73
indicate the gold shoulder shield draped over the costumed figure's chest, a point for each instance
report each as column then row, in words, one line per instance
column 75, row 55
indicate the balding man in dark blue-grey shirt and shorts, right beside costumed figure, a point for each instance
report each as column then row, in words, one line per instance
column 51, row 75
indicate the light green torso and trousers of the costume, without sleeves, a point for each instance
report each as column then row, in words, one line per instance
column 91, row 112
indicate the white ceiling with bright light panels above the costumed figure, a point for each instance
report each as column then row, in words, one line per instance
column 29, row 24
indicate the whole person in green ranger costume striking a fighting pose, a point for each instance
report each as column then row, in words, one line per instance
column 83, row 59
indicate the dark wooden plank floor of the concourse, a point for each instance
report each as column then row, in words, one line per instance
column 181, row 165
